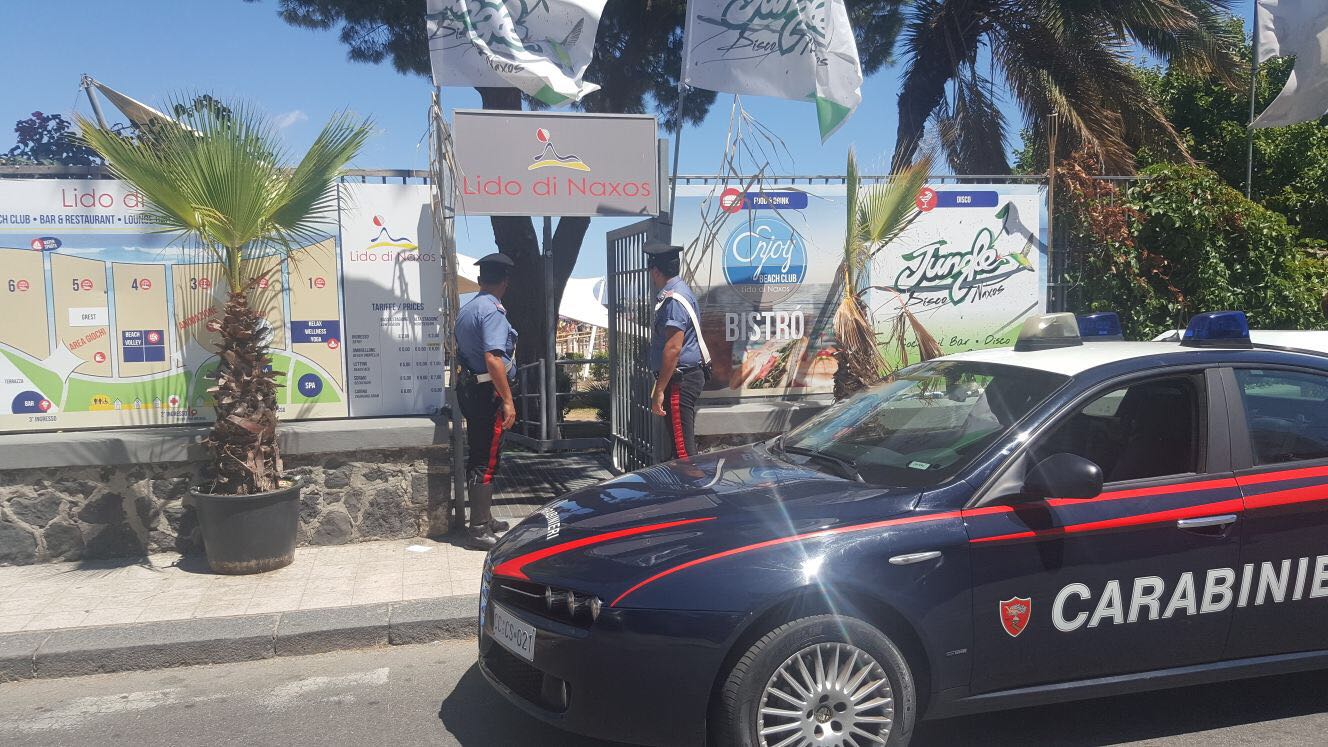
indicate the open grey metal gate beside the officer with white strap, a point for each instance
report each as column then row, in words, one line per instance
column 635, row 434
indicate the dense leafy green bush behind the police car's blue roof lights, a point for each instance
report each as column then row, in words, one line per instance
column 1199, row 245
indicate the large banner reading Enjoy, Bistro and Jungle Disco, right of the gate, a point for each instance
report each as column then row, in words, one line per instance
column 766, row 267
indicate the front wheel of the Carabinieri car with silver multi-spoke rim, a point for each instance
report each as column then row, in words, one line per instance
column 829, row 712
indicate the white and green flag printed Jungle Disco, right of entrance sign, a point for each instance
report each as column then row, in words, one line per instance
column 800, row 50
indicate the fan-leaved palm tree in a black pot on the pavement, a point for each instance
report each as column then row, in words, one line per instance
column 220, row 183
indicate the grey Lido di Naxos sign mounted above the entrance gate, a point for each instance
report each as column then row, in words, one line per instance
column 548, row 164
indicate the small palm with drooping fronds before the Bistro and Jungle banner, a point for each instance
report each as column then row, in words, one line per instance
column 878, row 215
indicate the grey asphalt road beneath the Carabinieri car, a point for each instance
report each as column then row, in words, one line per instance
column 434, row 696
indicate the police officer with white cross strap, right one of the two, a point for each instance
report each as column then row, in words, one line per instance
column 677, row 350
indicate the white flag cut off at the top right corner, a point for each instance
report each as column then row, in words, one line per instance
column 1301, row 29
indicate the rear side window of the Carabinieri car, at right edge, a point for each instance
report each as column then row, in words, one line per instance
column 1287, row 414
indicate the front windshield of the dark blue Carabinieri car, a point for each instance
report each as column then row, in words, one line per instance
column 922, row 426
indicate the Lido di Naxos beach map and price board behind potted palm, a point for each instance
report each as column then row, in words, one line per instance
column 104, row 324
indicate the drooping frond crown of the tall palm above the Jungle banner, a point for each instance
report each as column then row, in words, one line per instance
column 1052, row 56
